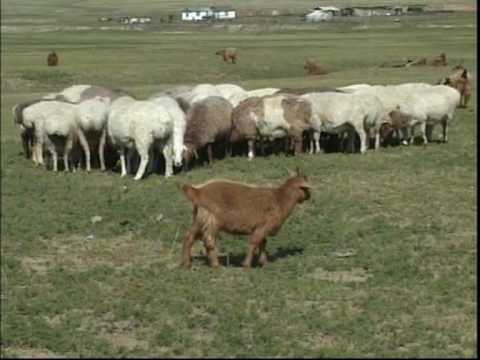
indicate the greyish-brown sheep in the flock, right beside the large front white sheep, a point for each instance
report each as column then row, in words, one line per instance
column 208, row 121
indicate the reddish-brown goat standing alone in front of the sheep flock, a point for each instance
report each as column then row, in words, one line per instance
column 235, row 208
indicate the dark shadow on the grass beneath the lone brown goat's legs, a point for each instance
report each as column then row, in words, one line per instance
column 236, row 260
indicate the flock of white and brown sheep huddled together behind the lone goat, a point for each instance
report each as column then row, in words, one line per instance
column 183, row 121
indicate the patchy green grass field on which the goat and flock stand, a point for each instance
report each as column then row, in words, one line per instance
column 405, row 216
